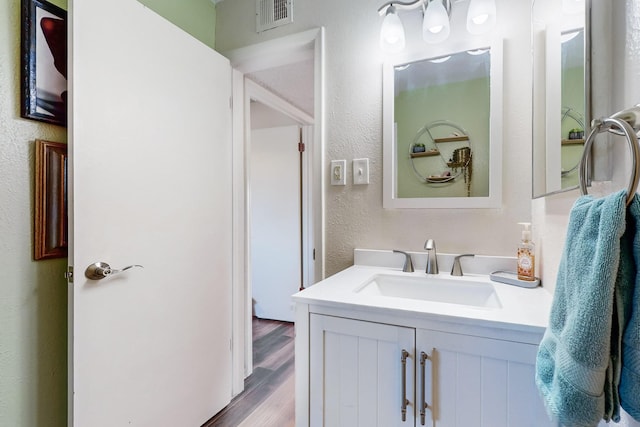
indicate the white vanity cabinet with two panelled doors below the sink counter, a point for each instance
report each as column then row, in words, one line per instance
column 356, row 375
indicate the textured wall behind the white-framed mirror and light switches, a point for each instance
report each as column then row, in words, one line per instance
column 354, row 214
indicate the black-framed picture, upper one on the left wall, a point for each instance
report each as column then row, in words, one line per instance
column 44, row 62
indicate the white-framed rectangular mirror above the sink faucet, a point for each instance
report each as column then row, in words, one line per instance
column 442, row 129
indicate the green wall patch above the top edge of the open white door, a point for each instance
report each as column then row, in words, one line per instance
column 196, row 17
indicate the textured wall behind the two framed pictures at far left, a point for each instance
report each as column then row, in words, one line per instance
column 33, row 332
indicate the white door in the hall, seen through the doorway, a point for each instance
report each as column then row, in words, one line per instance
column 276, row 263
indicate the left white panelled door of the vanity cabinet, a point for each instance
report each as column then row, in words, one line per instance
column 356, row 373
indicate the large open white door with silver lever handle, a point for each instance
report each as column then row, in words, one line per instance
column 150, row 170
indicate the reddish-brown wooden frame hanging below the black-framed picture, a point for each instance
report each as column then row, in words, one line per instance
column 50, row 200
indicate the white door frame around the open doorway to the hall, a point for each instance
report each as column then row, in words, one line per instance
column 269, row 54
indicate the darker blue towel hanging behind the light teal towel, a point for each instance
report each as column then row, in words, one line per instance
column 630, row 375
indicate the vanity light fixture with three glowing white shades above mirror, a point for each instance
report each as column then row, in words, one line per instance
column 436, row 25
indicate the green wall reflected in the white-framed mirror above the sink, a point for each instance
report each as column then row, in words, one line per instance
column 464, row 103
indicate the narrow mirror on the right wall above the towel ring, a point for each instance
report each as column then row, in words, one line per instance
column 560, row 96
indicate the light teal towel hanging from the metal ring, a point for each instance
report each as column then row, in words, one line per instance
column 575, row 368
